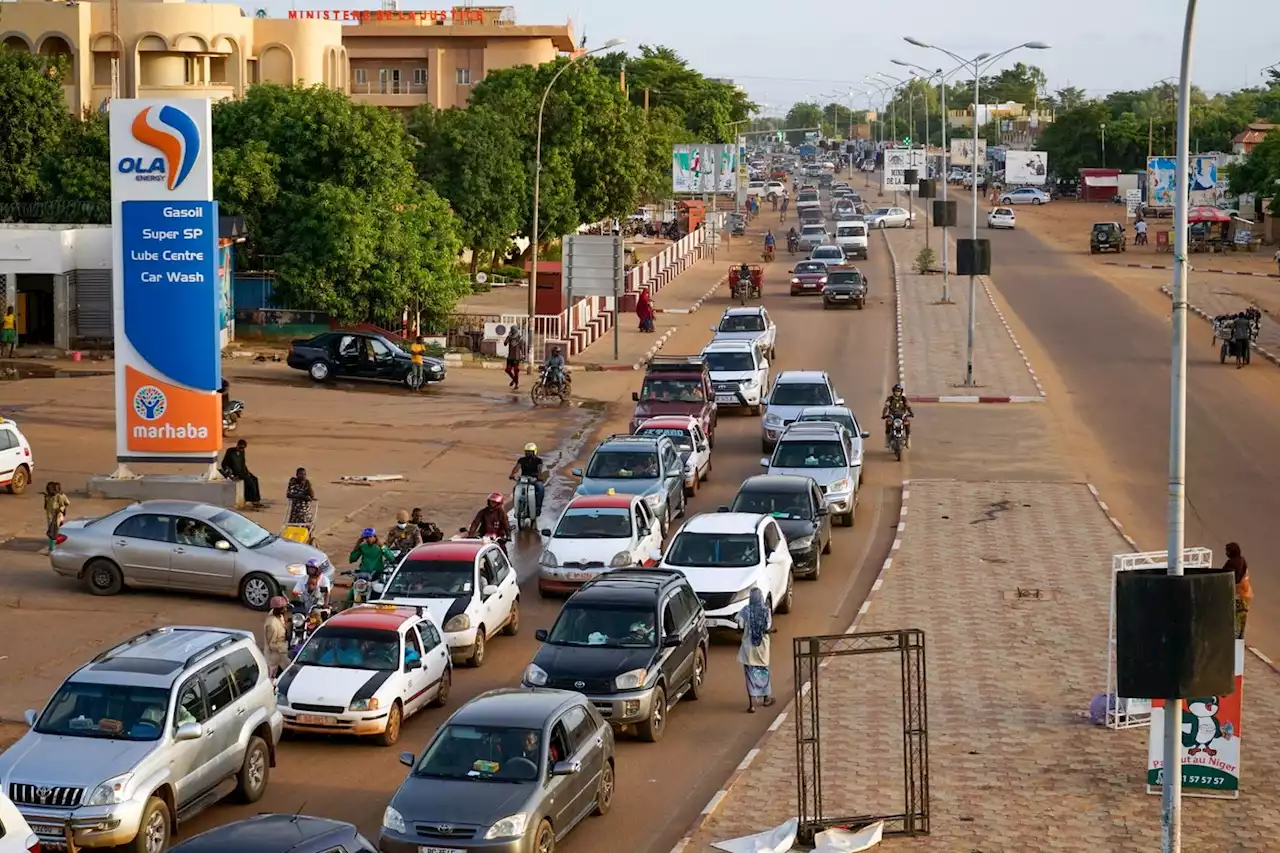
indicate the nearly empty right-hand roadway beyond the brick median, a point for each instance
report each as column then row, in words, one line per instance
column 1113, row 355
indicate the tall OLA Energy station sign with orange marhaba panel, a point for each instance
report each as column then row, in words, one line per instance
column 168, row 353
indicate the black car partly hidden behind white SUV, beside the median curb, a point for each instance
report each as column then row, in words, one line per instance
column 801, row 510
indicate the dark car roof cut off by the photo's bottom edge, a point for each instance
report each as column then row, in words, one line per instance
column 280, row 834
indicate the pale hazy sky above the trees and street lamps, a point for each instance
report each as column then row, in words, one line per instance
column 802, row 51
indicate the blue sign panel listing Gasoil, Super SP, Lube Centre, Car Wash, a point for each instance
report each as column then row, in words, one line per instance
column 172, row 290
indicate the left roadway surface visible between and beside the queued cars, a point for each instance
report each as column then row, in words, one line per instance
column 662, row 787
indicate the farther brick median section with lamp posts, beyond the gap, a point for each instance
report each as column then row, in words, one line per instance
column 932, row 339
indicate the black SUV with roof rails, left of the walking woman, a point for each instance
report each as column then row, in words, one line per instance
column 611, row 644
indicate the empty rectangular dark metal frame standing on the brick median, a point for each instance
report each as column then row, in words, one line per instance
column 811, row 656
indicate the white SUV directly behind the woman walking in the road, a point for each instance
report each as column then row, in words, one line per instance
column 728, row 555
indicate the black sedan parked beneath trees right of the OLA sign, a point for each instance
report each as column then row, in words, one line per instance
column 359, row 355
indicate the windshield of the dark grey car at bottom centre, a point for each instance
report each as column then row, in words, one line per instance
column 483, row 754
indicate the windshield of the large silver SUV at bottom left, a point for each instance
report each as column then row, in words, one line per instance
column 109, row 711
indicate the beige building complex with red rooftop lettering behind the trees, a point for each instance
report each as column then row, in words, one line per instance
column 175, row 49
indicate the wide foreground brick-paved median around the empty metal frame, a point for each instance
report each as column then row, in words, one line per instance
column 1013, row 764
